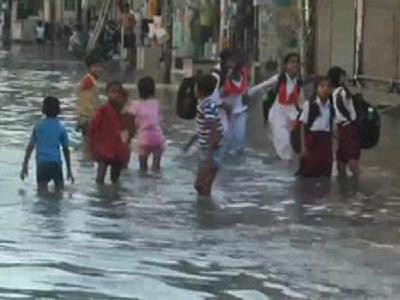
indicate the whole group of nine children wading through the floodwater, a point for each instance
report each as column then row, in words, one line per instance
column 221, row 124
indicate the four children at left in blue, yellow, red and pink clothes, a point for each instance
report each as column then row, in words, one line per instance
column 107, row 129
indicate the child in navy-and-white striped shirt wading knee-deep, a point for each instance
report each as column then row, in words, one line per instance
column 209, row 132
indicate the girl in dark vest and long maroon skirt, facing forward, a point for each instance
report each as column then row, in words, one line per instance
column 316, row 119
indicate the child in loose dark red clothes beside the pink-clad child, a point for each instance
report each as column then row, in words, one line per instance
column 109, row 135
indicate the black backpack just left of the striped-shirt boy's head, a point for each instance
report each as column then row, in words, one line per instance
column 186, row 104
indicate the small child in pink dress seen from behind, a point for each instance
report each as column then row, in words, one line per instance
column 150, row 136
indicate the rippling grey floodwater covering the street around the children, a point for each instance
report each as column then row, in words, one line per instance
column 271, row 237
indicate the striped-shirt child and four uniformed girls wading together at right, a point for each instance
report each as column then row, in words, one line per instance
column 329, row 113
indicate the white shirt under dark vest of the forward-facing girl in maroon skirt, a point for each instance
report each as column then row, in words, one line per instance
column 323, row 122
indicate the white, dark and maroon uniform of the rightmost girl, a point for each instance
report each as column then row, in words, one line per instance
column 345, row 117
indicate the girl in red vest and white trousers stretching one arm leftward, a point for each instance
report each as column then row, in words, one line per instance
column 288, row 94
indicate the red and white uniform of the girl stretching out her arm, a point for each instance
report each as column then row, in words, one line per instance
column 282, row 115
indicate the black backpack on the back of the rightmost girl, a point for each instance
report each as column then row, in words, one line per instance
column 368, row 122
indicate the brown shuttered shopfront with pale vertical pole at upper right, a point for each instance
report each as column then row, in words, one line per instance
column 362, row 36
